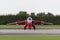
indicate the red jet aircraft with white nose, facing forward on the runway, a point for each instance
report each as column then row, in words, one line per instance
column 30, row 23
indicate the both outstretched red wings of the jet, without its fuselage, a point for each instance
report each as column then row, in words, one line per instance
column 34, row 22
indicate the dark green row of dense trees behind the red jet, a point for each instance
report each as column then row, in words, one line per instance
column 22, row 15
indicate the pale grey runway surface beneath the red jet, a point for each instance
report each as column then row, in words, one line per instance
column 29, row 32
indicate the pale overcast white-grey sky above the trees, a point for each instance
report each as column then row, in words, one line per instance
column 14, row 6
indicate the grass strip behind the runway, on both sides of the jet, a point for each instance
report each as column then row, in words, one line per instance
column 37, row 26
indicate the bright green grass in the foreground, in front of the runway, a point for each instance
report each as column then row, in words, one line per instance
column 30, row 37
